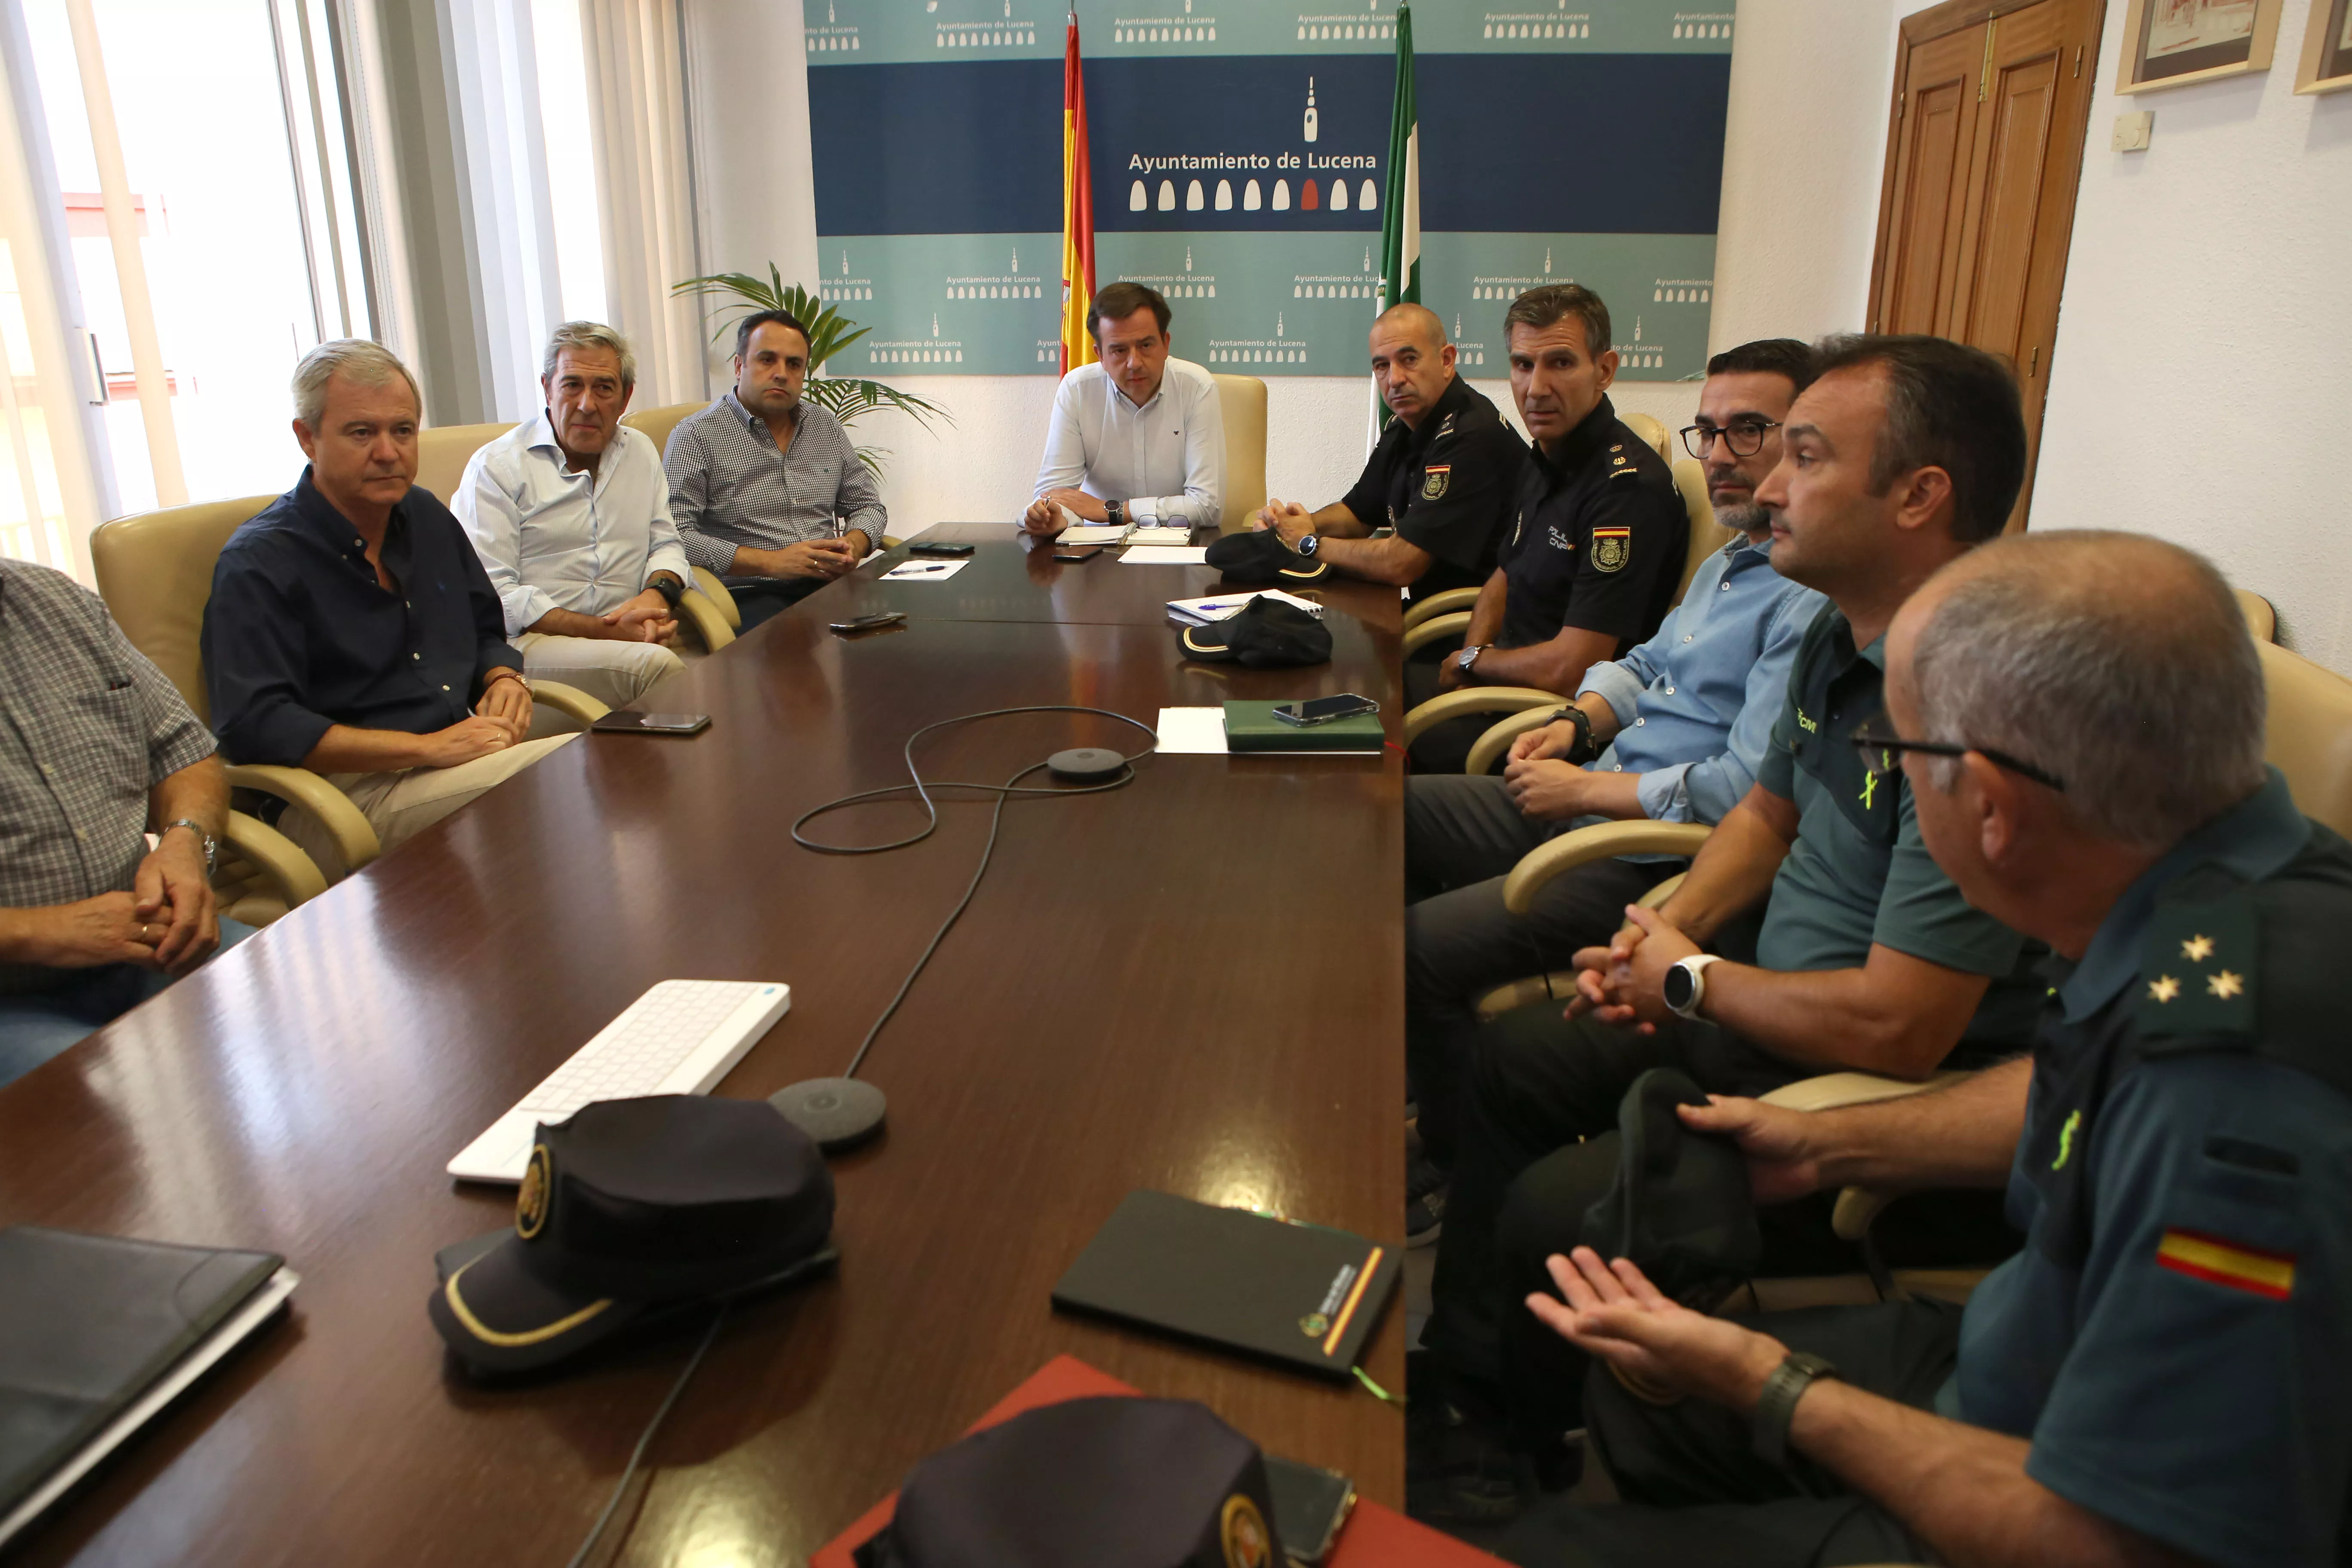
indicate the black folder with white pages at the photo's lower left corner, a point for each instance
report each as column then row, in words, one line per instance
column 95, row 1325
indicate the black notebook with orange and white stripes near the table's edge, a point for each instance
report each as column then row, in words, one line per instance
column 1299, row 1294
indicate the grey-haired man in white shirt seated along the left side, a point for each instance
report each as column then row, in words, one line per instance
column 570, row 516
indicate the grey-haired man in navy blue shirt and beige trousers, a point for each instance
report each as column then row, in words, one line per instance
column 352, row 626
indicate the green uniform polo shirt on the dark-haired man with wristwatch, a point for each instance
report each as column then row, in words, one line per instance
column 1859, row 873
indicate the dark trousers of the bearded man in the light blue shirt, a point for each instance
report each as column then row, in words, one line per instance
column 1462, row 838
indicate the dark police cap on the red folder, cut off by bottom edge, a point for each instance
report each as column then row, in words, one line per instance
column 1088, row 1485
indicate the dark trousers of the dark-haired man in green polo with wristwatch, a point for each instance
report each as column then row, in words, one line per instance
column 1537, row 1090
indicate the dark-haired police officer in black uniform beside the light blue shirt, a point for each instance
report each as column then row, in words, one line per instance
column 1593, row 554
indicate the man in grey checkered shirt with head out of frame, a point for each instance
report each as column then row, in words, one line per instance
column 98, row 749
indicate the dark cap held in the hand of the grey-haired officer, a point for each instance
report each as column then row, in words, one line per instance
column 1681, row 1202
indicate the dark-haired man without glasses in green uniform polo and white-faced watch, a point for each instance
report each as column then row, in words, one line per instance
column 1897, row 460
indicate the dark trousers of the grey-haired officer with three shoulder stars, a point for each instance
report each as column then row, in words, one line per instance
column 1695, row 1487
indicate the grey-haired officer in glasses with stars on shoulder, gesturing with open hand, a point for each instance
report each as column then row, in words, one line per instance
column 2158, row 1376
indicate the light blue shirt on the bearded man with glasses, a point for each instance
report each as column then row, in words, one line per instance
column 1697, row 702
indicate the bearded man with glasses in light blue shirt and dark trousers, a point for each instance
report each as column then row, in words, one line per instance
column 1673, row 732
